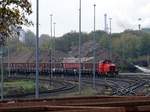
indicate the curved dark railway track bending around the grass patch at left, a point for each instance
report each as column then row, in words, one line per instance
column 60, row 86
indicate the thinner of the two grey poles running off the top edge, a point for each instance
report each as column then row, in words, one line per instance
column 79, row 46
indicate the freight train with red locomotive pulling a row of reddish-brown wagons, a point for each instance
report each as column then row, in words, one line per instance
column 105, row 67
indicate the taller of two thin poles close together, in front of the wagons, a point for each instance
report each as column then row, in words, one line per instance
column 51, row 49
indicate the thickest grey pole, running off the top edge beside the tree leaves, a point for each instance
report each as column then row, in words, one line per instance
column 37, row 50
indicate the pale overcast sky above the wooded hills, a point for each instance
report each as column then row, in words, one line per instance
column 124, row 14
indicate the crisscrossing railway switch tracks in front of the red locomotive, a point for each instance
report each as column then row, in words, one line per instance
column 121, row 86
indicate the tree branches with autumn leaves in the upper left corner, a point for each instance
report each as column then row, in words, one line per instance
column 13, row 14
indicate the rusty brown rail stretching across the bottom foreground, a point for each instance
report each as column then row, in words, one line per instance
column 78, row 104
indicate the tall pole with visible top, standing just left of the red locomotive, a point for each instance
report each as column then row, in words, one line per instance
column 94, row 48
